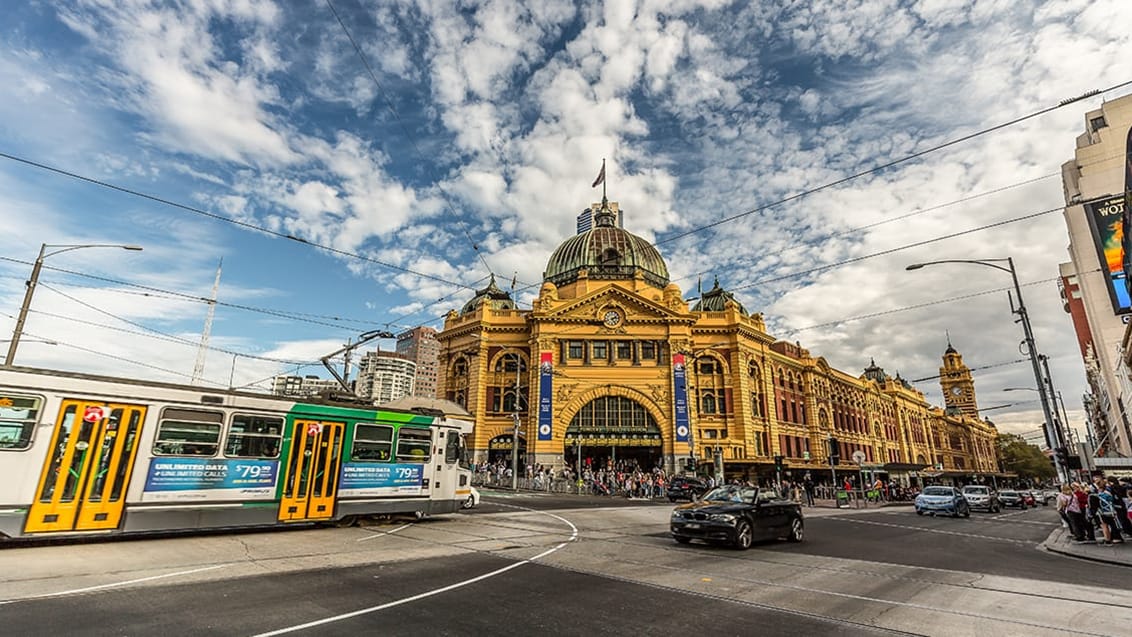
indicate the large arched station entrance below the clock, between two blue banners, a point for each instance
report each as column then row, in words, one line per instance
column 613, row 432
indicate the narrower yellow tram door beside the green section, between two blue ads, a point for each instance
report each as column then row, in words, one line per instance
column 312, row 480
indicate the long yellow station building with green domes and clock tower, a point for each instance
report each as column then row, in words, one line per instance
column 612, row 365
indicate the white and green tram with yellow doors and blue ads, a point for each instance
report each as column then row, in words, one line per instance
column 84, row 454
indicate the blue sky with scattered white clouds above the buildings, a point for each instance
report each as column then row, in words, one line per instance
column 359, row 166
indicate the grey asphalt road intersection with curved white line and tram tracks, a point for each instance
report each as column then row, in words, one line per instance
column 530, row 565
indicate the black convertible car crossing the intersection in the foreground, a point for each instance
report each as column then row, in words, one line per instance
column 737, row 515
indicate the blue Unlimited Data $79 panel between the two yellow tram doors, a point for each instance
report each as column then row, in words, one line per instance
column 198, row 475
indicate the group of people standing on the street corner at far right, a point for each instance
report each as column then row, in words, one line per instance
column 1103, row 505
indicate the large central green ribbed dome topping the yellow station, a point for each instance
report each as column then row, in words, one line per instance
column 606, row 252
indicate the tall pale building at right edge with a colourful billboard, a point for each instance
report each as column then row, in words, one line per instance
column 1094, row 183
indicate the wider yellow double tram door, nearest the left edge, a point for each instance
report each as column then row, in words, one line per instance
column 84, row 480
